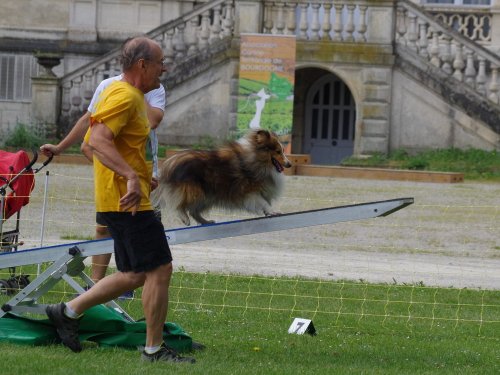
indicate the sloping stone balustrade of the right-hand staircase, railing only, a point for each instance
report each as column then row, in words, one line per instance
column 447, row 49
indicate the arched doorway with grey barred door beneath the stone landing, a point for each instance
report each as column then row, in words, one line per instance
column 330, row 118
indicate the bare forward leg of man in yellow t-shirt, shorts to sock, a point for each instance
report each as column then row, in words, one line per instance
column 155, row 302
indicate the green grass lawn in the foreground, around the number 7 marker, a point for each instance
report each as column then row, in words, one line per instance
column 243, row 320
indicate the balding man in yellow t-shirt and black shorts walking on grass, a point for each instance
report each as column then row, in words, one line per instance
column 118, row 136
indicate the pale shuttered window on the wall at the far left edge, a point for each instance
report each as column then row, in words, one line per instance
column 16, row 71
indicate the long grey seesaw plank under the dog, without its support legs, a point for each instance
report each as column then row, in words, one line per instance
column 226, row 229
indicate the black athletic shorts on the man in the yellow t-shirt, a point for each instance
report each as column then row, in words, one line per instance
column 140, row 241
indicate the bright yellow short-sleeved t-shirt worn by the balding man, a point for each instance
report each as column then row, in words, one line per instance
column 122, row 109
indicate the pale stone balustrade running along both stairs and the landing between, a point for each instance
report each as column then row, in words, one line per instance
column 324, row 21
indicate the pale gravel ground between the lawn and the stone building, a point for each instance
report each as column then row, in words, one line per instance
column 448, row 237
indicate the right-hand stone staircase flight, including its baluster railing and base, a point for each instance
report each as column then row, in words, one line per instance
column 461, row 72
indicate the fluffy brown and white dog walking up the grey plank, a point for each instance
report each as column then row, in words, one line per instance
column 241, row 175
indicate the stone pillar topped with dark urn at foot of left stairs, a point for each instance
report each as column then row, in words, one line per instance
column 45, row 93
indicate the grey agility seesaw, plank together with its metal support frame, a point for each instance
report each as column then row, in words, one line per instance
column 68, row 258
